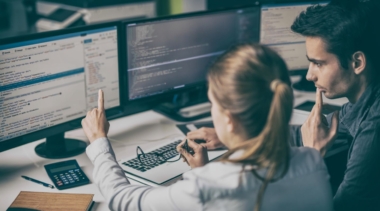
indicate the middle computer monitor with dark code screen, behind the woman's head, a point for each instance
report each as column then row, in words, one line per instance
column 172, row 54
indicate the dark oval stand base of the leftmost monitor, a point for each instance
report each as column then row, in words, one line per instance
column 57, row 146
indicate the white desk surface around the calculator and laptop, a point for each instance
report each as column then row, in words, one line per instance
column 147, row 129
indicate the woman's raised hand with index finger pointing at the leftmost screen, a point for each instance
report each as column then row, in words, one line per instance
column 95, row 125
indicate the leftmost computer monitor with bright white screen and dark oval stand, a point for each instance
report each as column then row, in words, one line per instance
column 49, row 81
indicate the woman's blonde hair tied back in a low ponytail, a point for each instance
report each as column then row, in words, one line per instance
column 251, row 81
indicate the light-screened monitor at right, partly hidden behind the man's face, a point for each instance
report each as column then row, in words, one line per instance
column 275, row 32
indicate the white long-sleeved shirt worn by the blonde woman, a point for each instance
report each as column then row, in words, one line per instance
column 216, row 186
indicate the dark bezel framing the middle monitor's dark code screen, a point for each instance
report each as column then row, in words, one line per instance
column 160, row 97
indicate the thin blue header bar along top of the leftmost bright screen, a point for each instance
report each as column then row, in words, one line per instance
column 58, row 37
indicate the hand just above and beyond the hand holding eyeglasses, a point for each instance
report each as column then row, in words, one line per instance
column 208, row 135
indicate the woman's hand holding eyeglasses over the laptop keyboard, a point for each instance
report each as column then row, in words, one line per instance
column 200, row 156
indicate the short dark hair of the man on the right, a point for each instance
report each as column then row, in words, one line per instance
column 346, row 27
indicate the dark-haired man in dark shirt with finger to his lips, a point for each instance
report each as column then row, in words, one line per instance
column 342, row 43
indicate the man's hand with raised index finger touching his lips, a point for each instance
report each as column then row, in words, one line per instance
column 315, row 130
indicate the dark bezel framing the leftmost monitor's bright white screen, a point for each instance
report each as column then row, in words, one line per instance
column 76, row 123
